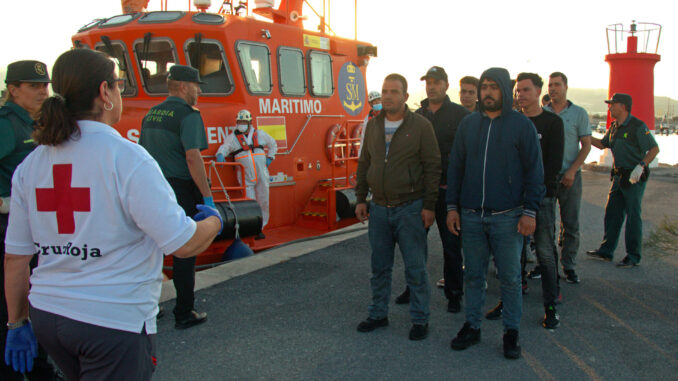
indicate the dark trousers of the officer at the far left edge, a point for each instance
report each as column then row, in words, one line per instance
column 42, row 368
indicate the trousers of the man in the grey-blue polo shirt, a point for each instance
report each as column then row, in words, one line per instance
column 570, row 203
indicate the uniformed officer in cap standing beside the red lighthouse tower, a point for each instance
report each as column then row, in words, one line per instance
column 633, row 148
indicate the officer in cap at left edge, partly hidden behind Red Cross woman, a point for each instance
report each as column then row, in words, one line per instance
column 26, row 90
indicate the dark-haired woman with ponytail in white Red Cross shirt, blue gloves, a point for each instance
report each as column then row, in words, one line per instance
column 99, row 213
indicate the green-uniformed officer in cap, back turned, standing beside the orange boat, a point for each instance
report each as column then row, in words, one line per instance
column 174, row 134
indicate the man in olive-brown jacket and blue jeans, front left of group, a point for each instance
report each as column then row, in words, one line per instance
column 400, row 165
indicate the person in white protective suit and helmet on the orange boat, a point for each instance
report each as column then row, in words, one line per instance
column 246, row 146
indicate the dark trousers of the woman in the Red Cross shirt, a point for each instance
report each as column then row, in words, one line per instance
column 89, row 352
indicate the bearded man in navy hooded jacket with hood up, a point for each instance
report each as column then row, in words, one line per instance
column 495, row 184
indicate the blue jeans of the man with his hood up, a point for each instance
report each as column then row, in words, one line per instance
column 486, row 233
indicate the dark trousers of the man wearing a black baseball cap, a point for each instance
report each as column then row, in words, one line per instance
column 452, row 259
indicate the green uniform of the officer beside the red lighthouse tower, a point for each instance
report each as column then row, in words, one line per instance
column 629, row 143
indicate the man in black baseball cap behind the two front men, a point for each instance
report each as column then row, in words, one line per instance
column 445, row 117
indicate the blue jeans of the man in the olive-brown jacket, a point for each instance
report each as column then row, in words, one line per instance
column 401, row 225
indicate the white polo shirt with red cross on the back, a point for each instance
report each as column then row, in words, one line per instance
column 100, row 214
